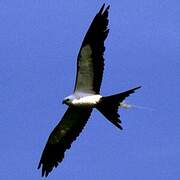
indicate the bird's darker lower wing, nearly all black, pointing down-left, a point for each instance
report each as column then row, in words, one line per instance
column 62, row 136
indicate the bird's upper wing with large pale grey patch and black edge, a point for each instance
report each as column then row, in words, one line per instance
column 90, row 61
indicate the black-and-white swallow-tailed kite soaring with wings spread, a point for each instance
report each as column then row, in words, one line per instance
column 86, row 95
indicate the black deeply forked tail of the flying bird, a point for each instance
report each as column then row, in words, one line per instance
column 109, row 105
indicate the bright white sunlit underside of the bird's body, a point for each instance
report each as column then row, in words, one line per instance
column 87, row 100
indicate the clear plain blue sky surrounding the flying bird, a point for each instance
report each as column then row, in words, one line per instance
column 39, row 43
